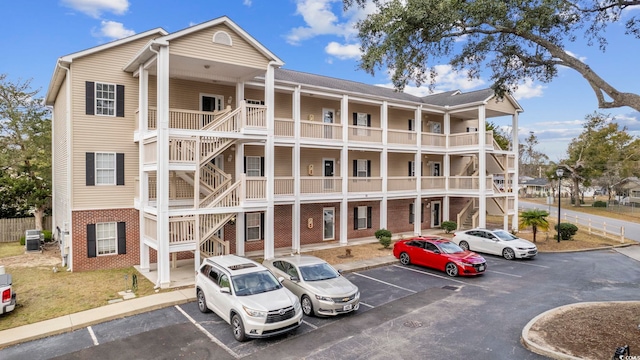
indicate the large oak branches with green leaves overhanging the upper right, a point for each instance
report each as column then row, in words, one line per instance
column 514, row 39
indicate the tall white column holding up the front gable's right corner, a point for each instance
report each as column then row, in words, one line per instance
column 269, row 162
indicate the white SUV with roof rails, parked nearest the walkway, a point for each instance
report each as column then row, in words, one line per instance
column 246, row 295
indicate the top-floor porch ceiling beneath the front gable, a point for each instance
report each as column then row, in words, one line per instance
column 181, row 67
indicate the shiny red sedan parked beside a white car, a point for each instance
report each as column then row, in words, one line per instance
column 439, row 253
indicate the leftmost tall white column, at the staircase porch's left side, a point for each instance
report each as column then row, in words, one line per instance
column 143, row 184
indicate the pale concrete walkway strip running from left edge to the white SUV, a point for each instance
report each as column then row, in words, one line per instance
column 94, row 316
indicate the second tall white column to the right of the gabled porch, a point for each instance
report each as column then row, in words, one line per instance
column 344, row 169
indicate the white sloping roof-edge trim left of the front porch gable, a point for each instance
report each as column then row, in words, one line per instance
column 59, row 72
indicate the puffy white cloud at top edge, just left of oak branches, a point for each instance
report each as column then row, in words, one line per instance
column 320, row 20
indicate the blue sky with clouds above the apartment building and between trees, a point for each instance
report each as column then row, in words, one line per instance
column 313, row 36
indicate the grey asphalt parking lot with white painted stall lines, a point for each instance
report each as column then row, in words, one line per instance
column 405, row 312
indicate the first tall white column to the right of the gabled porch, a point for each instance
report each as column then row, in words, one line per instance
column 296, row 211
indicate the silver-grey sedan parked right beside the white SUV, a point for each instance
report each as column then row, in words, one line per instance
column 322, row 290
